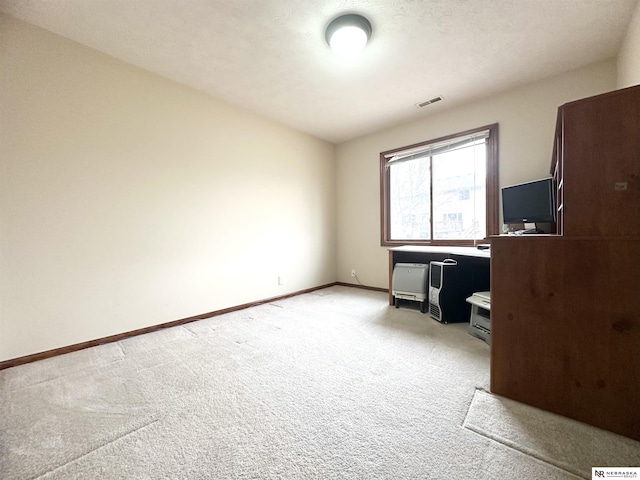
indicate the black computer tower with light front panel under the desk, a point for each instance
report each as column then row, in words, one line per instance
column 449, row 286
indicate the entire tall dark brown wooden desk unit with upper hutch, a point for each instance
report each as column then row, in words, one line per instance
column 565, row 308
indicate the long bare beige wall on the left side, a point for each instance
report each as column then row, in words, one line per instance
column 128, row 200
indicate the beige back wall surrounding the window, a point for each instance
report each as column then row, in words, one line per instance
column 527, row 117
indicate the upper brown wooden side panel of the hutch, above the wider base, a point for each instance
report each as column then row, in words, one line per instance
column 601, row 168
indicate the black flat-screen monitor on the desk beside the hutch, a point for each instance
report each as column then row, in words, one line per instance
column 531, row 202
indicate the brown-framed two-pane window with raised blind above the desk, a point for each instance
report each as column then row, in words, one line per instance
column 441, row 192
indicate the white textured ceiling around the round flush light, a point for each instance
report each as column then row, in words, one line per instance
column 270, row 56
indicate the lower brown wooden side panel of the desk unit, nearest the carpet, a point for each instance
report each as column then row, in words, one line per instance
column 565, row 327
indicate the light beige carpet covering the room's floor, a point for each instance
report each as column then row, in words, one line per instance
column 334, row 384
